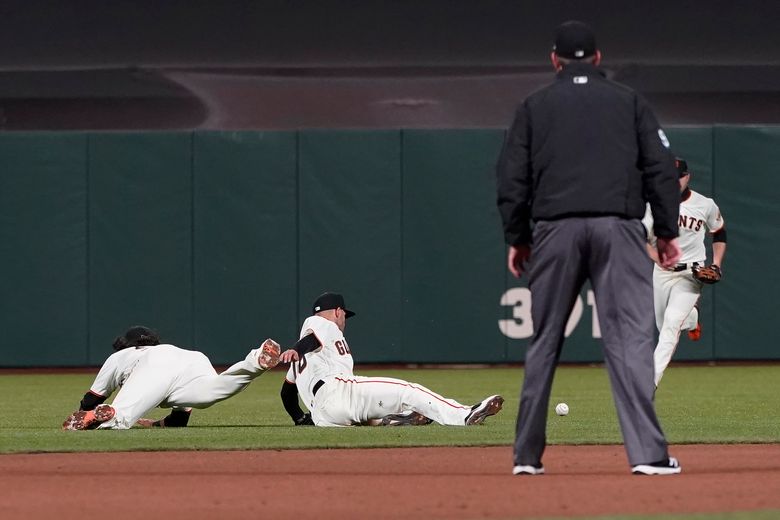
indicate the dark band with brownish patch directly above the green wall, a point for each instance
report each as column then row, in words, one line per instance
column 284, row 98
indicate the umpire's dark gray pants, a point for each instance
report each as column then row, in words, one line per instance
column 610, row 251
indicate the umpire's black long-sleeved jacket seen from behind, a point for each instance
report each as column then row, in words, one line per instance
column 585, row 146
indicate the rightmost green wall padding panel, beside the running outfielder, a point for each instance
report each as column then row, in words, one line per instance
column 747, row 187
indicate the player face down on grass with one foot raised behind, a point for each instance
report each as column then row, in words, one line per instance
column 150, row 373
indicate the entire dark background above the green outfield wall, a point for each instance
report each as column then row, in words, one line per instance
column 378, row 64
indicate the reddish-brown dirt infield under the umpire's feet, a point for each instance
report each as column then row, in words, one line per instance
column 453, row 483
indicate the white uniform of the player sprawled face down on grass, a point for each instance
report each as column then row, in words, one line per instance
column 169, row 377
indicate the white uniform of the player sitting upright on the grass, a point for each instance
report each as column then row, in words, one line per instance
column 344, row 399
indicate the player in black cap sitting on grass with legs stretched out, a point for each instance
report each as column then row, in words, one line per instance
column 321, row 371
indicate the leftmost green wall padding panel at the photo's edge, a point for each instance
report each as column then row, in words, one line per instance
column 43, row 245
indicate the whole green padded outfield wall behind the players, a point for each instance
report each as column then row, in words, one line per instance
column 221, row 239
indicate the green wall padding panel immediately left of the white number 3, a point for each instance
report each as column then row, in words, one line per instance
column 452, row 247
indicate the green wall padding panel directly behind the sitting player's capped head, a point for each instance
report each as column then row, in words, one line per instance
column 349, row 237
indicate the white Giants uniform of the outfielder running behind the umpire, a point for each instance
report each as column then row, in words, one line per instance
column 676, row 291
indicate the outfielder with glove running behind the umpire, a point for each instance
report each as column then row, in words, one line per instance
column 677, row 290
